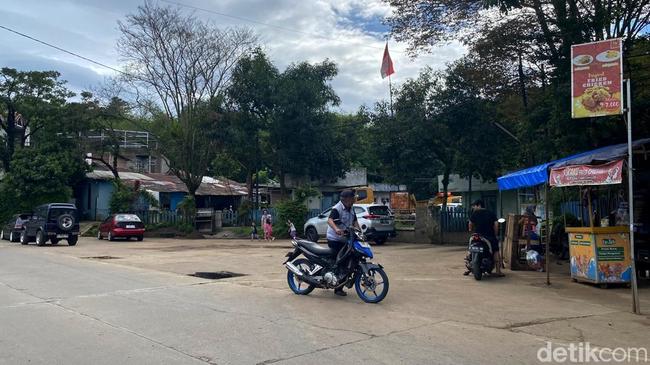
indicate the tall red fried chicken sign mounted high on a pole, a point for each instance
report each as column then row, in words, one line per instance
column 597, row 78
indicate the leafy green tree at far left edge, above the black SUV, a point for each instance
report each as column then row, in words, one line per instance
column 28, row 102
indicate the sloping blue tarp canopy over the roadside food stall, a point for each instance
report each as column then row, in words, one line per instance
column 538, row 175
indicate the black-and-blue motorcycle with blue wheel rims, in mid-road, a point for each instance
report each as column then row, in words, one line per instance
column 322, row 268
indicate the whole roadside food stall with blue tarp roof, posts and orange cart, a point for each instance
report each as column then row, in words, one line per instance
column 538, row 179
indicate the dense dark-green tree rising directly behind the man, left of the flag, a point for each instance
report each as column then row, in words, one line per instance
column 302, row 139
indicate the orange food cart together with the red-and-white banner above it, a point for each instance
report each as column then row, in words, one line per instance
column 600, row 251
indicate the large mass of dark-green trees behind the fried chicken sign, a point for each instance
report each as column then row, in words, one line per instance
column 529, row 96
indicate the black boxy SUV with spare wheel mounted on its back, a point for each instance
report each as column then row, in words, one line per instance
column 52, row 222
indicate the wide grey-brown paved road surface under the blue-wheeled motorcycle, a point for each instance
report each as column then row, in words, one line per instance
column 58, row 306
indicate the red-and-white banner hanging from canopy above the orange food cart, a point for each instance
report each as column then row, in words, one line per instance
column 578, row 175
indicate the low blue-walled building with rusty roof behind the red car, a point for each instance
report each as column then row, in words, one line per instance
column 94, row 196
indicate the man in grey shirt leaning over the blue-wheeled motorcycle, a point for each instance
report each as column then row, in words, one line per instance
column 342, row 213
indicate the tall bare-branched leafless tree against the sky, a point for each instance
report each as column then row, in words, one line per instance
column 186, row 63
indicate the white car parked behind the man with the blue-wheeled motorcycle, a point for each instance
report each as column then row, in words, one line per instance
column 375, row 220
